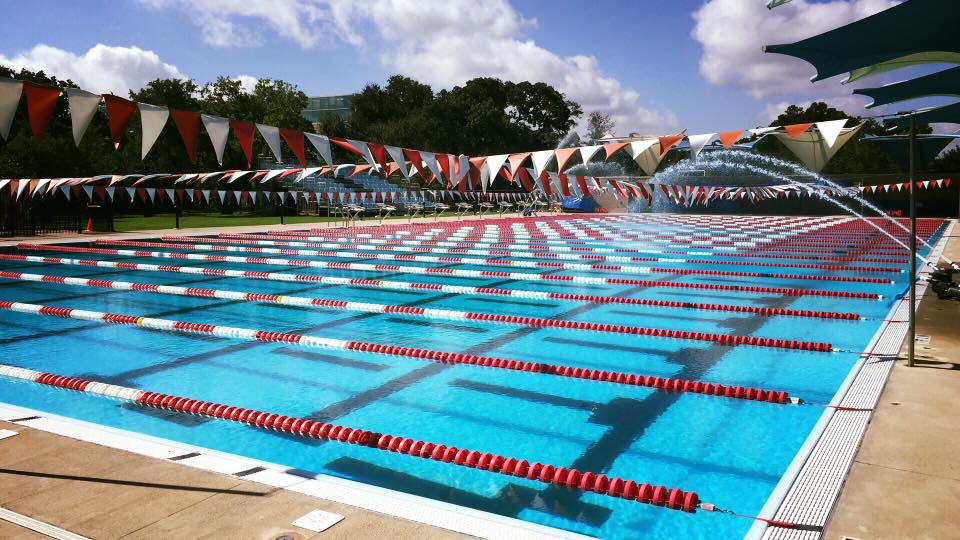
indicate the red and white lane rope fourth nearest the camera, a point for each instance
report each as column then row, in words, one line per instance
column 451, row 289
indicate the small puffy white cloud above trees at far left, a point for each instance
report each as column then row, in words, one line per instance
column 101, row 69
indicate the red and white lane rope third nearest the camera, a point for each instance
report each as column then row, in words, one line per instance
column 420, row 312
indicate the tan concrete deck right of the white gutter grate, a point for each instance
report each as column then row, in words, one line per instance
column 905, row 480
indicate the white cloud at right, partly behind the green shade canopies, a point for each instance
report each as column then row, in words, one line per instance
column 733, row 33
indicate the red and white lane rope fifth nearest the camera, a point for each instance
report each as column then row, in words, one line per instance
column 454, row 272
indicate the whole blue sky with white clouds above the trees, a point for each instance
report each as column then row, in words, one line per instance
column 656, row 66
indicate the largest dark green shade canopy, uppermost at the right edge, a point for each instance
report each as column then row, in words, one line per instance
column 916, row 31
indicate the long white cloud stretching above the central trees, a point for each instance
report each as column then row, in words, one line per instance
column 441, row 42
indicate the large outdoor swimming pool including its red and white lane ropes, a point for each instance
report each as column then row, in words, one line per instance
column 797, row 281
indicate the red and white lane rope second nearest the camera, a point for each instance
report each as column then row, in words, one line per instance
column 666, row 384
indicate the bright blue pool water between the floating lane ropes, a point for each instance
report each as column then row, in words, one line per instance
column 731, row 452
